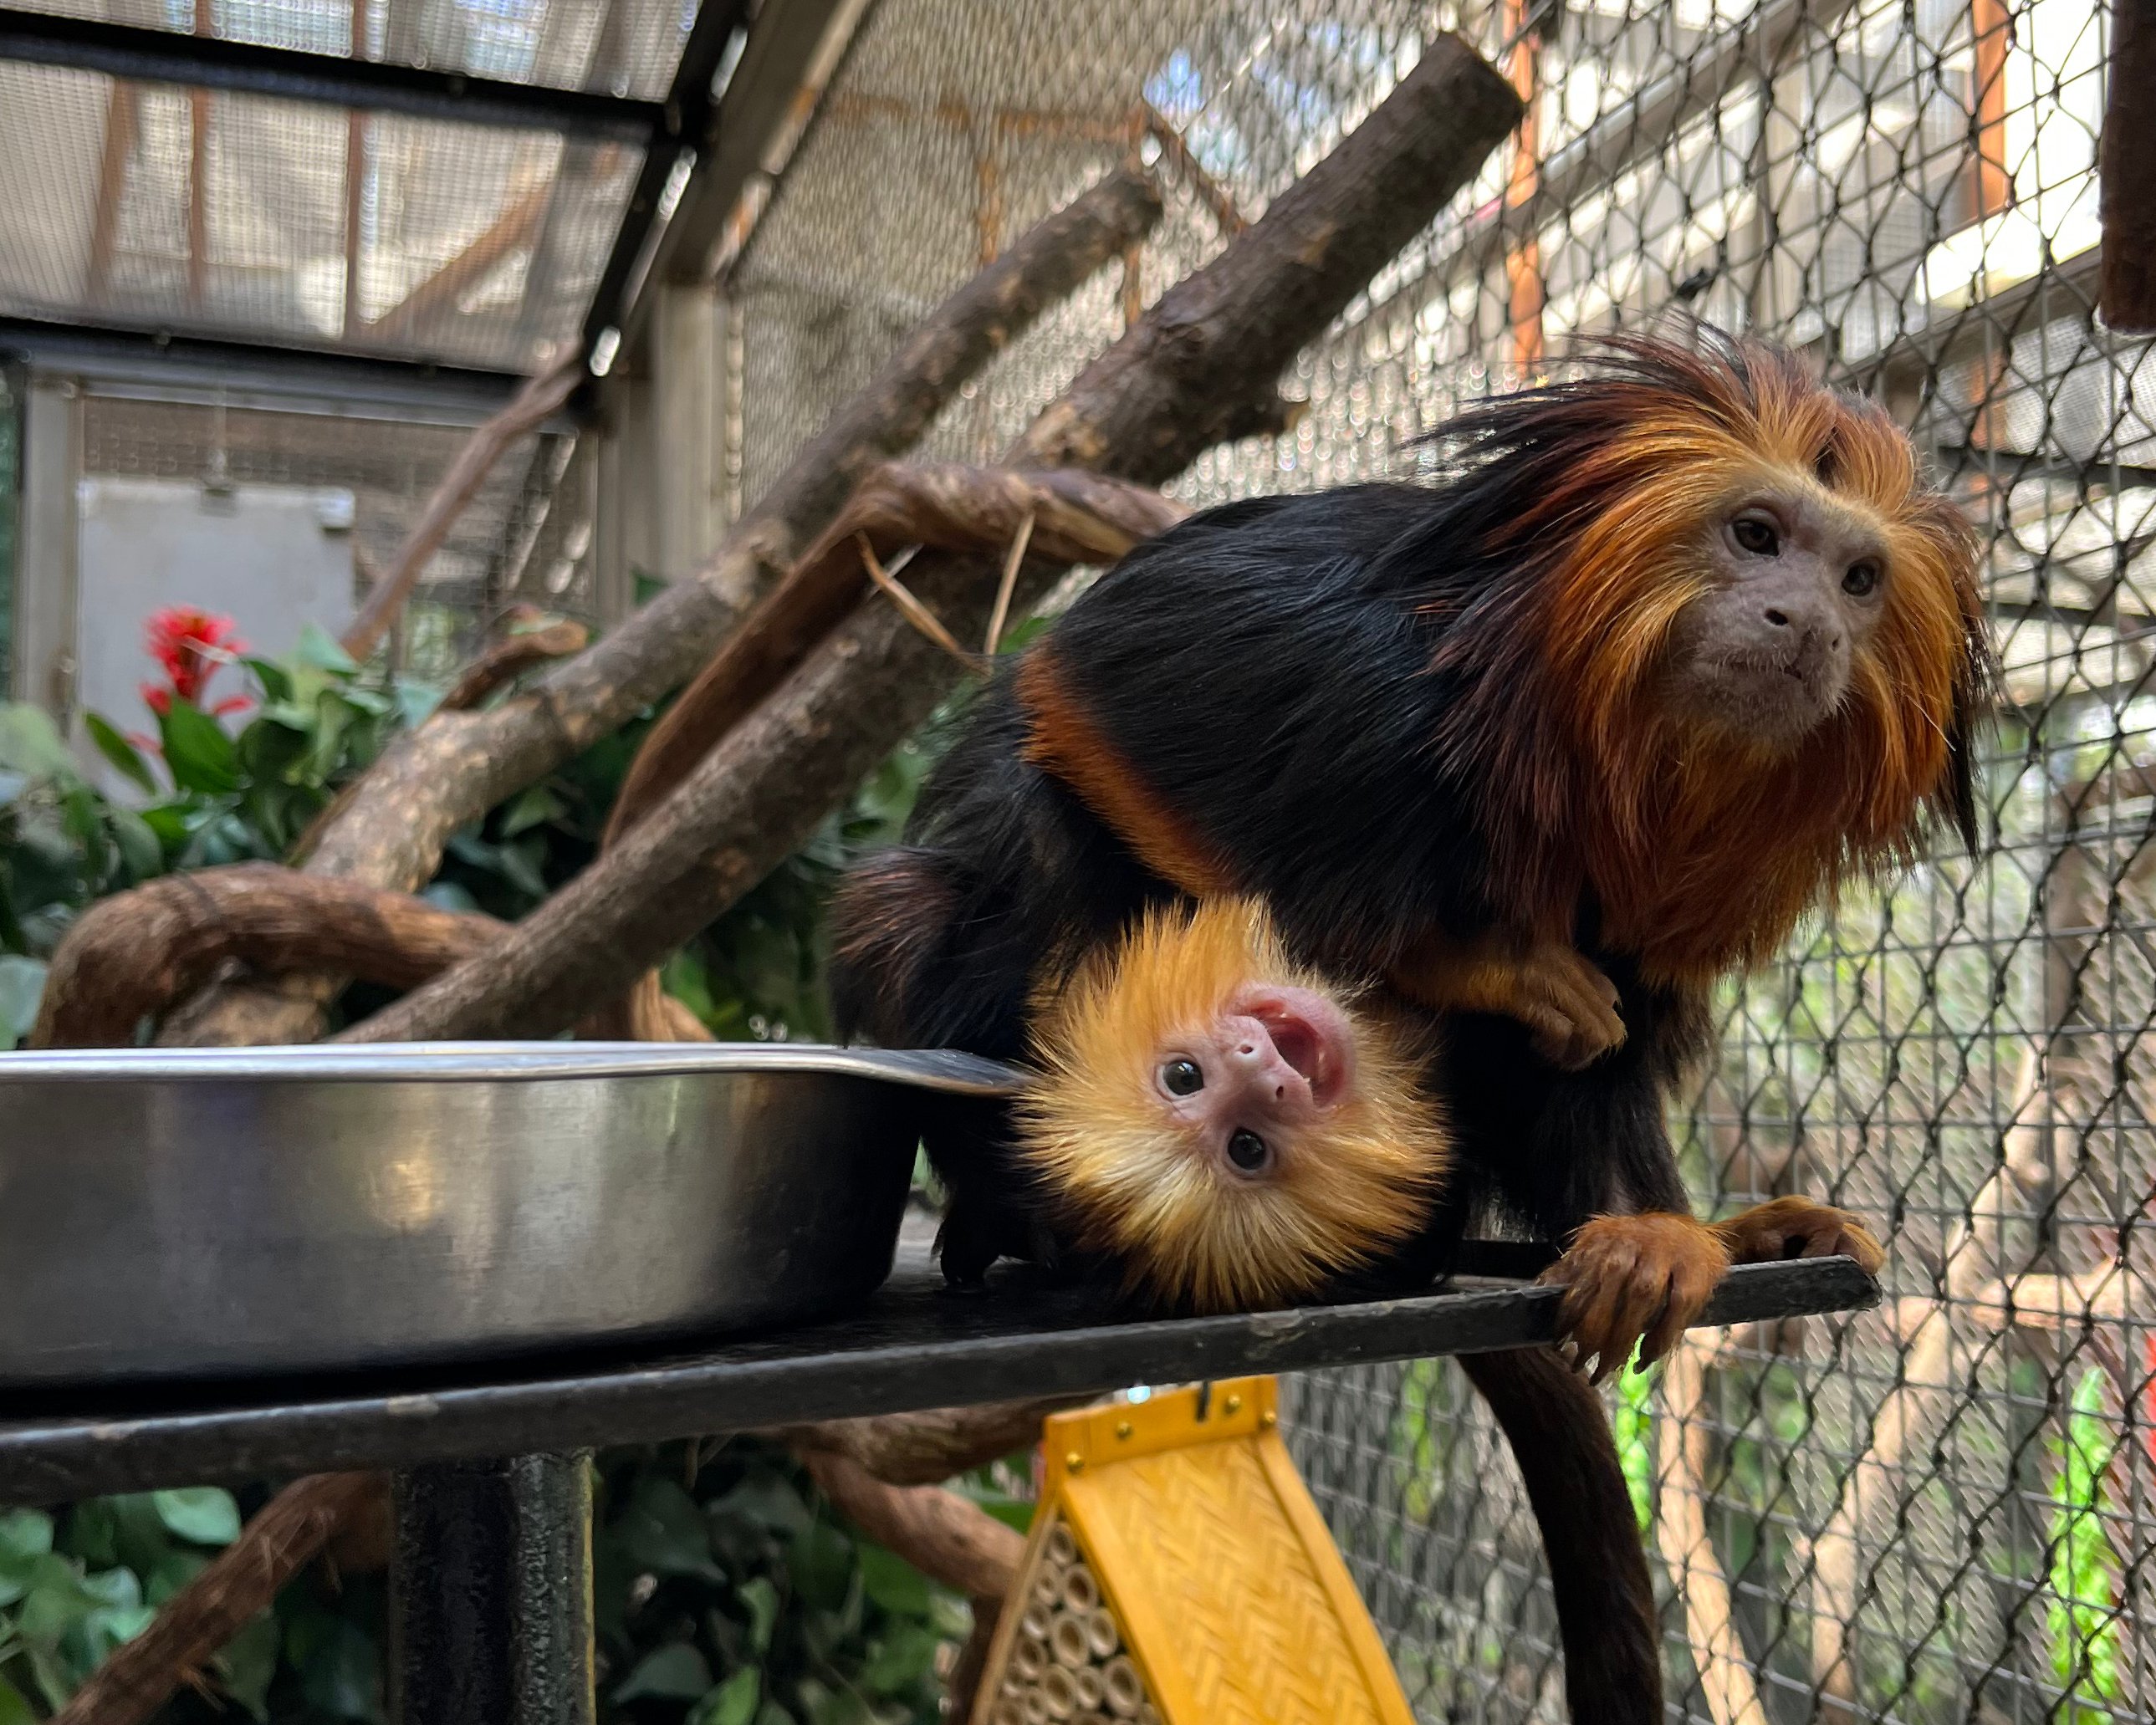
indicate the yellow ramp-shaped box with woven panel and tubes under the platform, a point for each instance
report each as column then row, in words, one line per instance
column 1180, row 1573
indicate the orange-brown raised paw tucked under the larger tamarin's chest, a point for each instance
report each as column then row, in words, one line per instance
column 1562, row 997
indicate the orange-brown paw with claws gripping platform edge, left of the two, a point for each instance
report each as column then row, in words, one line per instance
column 1633, row 1280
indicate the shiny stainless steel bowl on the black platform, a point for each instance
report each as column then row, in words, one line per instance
column 271, row 1211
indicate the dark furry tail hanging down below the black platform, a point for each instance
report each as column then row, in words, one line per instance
column 1599, row 1567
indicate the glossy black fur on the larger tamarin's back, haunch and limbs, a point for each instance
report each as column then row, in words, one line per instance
column 1323, row 779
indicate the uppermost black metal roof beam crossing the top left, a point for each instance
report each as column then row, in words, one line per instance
column 212, row 64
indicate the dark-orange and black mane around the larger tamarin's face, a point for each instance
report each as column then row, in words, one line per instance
column 1704, row 855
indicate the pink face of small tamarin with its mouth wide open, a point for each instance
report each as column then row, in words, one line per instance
column 1247, row 1086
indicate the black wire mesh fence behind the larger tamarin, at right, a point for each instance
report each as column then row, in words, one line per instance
column 1937, row 1510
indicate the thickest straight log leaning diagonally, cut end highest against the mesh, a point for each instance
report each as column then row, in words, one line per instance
column 1202, row 368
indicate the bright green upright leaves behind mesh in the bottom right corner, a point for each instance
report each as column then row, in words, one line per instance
column 2084, row 1614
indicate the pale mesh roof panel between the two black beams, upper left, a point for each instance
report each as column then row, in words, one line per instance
column 230, row 215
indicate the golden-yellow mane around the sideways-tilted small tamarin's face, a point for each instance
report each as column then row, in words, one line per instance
column 1094, row 1133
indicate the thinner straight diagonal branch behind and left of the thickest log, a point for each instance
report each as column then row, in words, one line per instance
column 458, row 767
